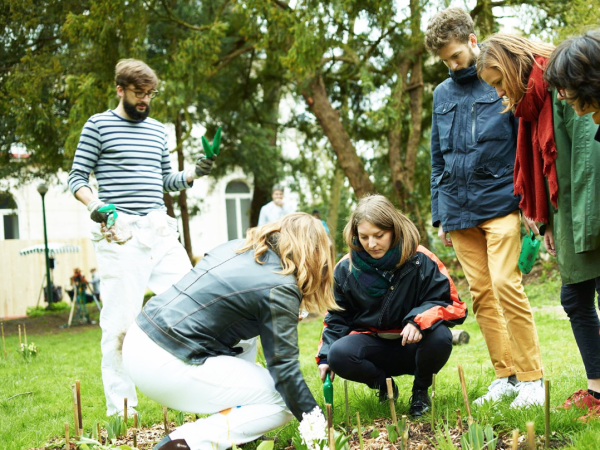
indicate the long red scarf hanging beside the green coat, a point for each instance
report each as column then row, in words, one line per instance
column 536, row 148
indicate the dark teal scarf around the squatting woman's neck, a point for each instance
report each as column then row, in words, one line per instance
column 374, row 275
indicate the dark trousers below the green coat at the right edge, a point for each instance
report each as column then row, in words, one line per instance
column 578, row 300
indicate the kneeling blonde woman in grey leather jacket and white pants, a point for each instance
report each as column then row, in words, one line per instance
column 193, row 348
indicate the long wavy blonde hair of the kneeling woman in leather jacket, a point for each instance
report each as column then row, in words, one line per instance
column 302, row 244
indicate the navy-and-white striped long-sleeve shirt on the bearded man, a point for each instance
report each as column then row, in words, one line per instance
column 130, row 161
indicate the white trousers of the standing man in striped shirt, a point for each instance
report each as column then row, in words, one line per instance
column 155, row 259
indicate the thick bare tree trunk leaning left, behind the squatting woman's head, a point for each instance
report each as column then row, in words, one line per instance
column 329, row 118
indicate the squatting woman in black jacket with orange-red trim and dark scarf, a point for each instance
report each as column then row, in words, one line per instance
column 395, row 302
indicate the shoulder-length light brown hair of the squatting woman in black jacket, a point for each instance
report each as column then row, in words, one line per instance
column 379, row 211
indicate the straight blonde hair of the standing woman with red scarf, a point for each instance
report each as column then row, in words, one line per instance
column 513, row 56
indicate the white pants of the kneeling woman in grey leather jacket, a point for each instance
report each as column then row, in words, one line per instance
column 240, row 394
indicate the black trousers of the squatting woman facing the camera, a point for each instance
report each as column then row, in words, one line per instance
column 370, row 359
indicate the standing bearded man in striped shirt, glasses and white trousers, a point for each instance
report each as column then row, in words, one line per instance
column 128, row 153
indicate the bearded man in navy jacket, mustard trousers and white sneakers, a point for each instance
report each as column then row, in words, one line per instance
column 473, row 150
